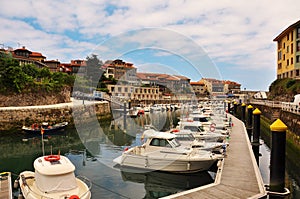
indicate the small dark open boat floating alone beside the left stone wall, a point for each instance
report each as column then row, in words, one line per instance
column 45, row 127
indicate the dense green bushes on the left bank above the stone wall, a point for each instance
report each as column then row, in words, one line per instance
column 16, row 78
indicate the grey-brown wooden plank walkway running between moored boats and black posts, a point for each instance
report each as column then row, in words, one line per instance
column 238, row 175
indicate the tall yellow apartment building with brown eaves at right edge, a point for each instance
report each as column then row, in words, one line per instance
column 288, row 52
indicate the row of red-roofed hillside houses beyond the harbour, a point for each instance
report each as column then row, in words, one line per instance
column 130, row 83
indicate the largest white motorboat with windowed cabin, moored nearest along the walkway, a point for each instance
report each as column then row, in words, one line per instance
column 163, row 152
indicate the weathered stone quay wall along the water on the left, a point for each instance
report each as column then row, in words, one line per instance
column 13, row 118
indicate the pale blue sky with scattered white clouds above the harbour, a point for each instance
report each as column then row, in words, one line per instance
column 224, row 39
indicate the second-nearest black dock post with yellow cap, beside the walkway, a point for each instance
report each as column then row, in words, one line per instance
column 256, row 134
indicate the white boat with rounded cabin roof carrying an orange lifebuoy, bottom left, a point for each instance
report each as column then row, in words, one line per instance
column 53, row 178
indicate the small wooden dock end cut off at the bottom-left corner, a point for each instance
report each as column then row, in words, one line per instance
column 5, row 186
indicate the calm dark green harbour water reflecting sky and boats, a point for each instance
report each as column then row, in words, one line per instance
column 93, row 154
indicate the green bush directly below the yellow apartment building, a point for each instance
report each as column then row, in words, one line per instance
column 284, row 89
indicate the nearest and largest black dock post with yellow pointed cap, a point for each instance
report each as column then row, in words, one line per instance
column 277, row 165
